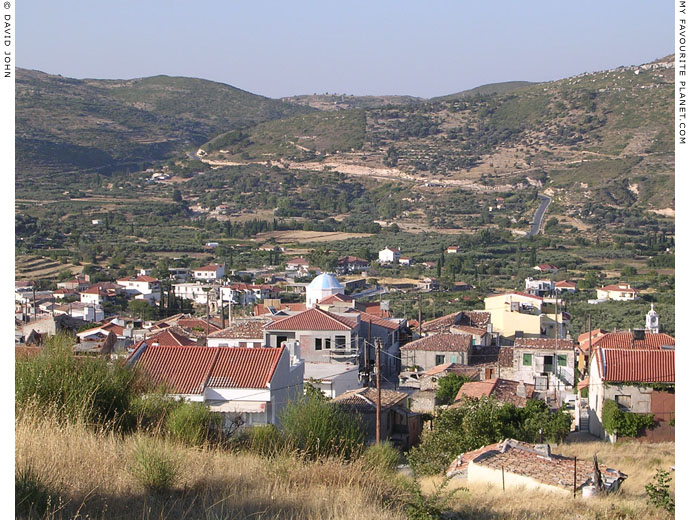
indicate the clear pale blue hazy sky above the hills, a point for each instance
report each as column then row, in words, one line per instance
column 420, row 48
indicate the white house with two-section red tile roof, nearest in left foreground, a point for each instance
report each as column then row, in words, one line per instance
column 246, row 385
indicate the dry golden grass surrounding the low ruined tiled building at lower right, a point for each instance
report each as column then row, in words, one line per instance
column 638, row 460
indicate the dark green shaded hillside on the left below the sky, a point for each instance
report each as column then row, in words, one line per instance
column 65, row 124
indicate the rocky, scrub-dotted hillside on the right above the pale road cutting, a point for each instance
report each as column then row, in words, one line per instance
column 603, row 136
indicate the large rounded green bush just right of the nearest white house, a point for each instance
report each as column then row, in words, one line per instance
column 319, row 428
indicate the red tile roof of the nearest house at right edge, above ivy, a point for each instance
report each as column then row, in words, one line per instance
column 638, row 366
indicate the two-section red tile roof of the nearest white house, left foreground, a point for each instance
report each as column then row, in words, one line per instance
column 188, row 370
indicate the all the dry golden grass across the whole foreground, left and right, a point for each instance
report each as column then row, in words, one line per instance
column 89, row 474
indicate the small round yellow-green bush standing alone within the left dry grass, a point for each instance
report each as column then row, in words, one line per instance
column 153, row 466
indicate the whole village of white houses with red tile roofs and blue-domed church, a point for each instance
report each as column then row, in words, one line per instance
column 246, row 354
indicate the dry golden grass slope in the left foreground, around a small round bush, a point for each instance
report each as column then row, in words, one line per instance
column 90, row 472
